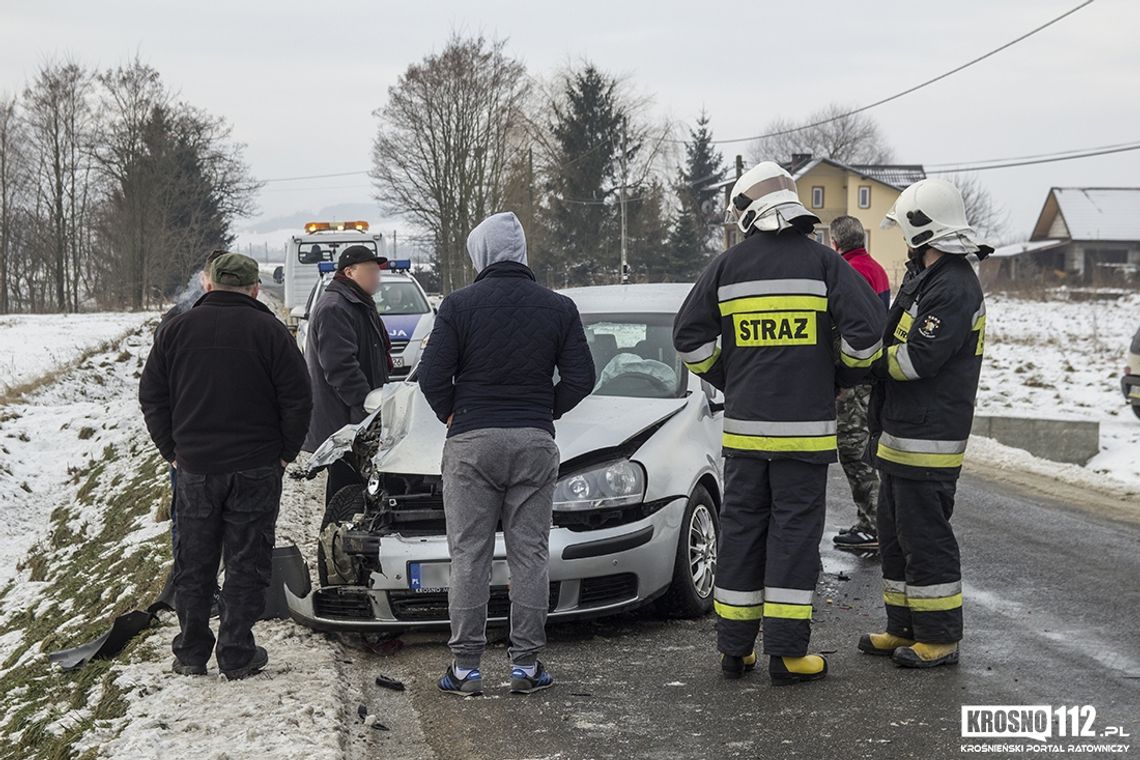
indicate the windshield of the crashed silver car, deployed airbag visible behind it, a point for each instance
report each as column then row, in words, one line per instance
column 634, row 356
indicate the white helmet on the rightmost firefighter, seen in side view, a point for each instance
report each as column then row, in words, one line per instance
column 932, row 213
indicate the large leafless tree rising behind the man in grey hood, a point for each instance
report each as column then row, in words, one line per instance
column 447, row 138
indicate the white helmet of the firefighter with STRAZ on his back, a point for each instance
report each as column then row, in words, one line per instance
column 766, row 198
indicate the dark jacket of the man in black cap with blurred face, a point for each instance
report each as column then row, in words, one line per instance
column 348, row 354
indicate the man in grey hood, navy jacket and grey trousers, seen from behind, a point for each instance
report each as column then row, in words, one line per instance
column 488, row 372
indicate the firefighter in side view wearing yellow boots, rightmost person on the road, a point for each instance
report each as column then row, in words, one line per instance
column 921, row 419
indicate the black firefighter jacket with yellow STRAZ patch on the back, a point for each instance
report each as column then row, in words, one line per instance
column 759, row 325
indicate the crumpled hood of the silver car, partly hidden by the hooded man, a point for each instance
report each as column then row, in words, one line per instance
column 413, row 438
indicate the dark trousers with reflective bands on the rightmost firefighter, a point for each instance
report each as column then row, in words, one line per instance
column 922, row 568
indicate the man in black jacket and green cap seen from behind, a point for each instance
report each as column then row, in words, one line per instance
column 226, row 399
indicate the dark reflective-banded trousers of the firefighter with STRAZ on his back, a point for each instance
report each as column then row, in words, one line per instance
column 769, row 554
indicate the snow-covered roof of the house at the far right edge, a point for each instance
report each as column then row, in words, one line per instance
column 1090, row 214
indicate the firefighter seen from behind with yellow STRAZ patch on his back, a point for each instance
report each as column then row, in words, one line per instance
column 759, row 326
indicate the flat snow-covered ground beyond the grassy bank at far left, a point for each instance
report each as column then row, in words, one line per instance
column 32, row 346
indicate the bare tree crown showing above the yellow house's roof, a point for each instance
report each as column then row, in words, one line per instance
column 826, row 134
